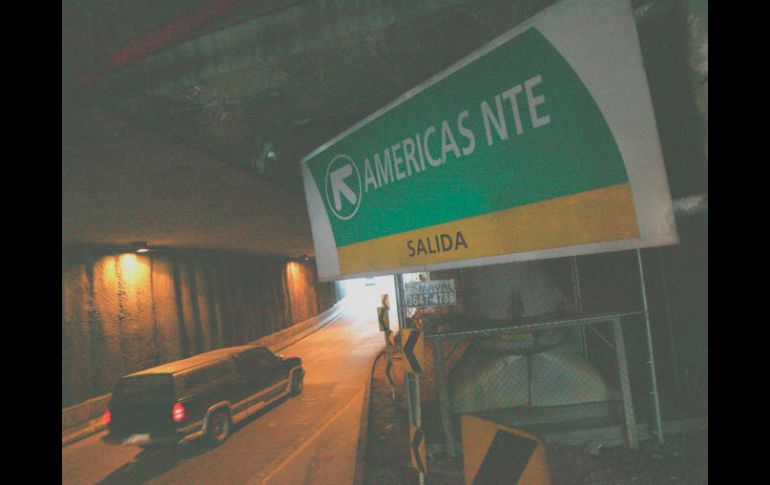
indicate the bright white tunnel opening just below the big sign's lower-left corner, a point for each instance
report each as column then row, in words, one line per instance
column 364, row 295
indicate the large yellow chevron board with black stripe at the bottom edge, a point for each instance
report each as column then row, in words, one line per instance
column 494, row 453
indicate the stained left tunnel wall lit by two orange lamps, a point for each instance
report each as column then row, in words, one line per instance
column 122, row 313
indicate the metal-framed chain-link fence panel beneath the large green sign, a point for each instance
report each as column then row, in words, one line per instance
column 533, row 374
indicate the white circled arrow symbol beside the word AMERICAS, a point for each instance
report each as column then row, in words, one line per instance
column 343, row 187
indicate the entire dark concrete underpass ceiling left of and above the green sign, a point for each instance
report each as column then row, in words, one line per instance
column 169, row 108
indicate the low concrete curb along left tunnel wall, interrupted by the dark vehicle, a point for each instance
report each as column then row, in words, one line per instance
column 97, row 405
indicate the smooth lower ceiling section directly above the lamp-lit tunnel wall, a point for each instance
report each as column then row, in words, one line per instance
column 141, row 186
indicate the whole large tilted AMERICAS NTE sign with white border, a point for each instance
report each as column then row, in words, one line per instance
column 541, row 144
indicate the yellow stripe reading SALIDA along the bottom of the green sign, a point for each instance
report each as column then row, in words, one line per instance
column 599, row 215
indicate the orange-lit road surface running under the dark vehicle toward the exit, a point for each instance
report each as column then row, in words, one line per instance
column 289, row 442
